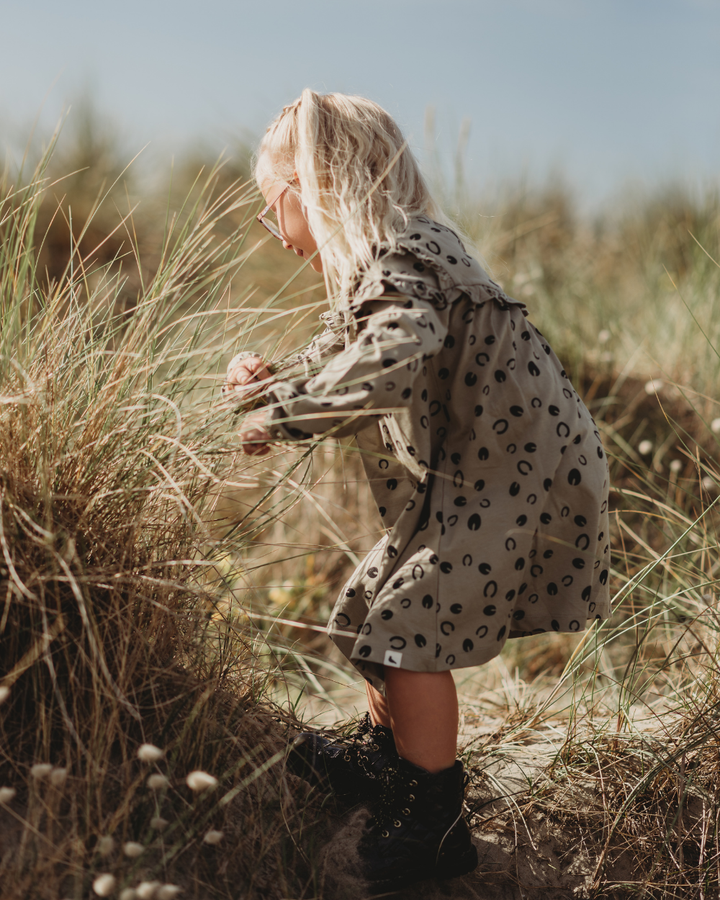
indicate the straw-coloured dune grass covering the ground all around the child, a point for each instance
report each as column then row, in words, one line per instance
column 157, row 587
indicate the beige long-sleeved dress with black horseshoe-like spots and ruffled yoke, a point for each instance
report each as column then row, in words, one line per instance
column 487, row 468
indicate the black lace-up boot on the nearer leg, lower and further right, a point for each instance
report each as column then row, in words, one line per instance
column 418, row 830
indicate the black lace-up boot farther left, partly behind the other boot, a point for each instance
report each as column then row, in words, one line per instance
column 352, row 769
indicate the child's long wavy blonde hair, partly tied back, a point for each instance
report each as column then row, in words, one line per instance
column 355, row 175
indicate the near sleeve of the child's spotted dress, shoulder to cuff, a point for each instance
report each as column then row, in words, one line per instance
column 370, row 378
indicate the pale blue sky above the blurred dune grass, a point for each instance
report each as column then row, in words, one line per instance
column 602, row 91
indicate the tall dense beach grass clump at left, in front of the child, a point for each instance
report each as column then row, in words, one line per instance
column 138, row 756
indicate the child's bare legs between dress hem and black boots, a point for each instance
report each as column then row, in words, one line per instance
column 422, row 710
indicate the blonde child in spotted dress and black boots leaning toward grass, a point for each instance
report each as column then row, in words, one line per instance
column 487, row 468
